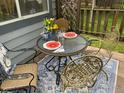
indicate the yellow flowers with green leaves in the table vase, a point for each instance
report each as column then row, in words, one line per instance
column 50, row 24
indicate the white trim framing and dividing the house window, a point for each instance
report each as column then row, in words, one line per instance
column 24, row 17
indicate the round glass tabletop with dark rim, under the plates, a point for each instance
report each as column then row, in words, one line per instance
column 68, row 46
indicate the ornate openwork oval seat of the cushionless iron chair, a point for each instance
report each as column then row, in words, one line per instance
column 81, row 72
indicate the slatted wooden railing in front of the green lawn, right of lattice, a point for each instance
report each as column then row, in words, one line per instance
column 102, row 20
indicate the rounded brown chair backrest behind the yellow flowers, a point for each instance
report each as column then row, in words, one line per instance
column 63, row 24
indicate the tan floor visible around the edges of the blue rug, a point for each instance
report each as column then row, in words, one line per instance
column 120, row 77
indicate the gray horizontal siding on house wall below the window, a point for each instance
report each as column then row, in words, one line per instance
column 22, row 38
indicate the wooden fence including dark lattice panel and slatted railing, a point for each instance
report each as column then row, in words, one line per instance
column 96, row 16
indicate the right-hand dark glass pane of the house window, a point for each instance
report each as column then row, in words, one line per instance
column 32, row 6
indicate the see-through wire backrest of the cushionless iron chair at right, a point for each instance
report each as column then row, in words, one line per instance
column 109, row 43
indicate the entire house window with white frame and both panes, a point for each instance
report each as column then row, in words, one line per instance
column 14, row 10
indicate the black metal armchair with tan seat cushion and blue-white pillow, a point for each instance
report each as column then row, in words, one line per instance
column 19, row 77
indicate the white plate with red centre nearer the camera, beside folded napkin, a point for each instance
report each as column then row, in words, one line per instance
column 52, row 45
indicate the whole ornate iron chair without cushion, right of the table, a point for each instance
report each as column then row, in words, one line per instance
column 83, row 72
